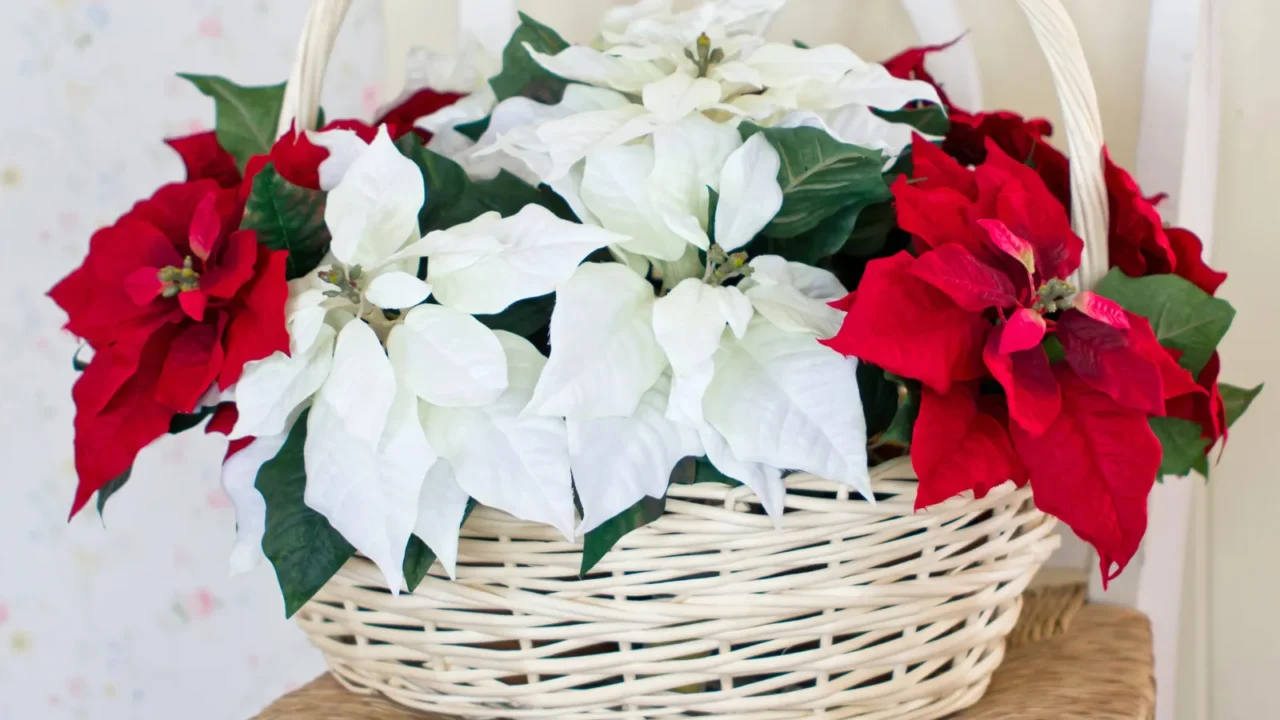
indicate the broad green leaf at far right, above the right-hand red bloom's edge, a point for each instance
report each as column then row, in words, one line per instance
column 1183, row 316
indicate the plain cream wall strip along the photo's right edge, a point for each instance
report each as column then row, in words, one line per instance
column 1245, row 491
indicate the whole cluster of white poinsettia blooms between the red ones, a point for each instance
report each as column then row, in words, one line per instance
column 417, row 407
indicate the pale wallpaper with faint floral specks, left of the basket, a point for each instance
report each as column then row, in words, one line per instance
column 132, row 616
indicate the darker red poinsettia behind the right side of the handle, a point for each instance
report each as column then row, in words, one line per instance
column 1140, row 244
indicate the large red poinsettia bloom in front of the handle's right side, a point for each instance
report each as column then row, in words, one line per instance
column 988, row 299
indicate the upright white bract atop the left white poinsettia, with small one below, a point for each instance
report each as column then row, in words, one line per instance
column 373, row 215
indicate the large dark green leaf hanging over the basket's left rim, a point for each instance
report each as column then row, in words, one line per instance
column 300, row 543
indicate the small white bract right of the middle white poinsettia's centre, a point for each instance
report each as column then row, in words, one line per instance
column 796, row 297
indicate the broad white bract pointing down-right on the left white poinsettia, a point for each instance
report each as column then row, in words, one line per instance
column 504, row 458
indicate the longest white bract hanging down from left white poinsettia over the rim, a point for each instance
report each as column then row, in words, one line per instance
column 367, row 454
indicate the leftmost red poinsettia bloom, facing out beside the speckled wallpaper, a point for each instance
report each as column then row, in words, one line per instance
column 175, row 300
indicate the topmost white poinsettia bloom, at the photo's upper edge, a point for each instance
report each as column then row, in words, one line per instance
column 710, row 62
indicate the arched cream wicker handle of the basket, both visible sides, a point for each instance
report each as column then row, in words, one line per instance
column 1049, row 20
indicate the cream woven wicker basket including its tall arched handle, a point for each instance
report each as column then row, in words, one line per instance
column 848, row 610
